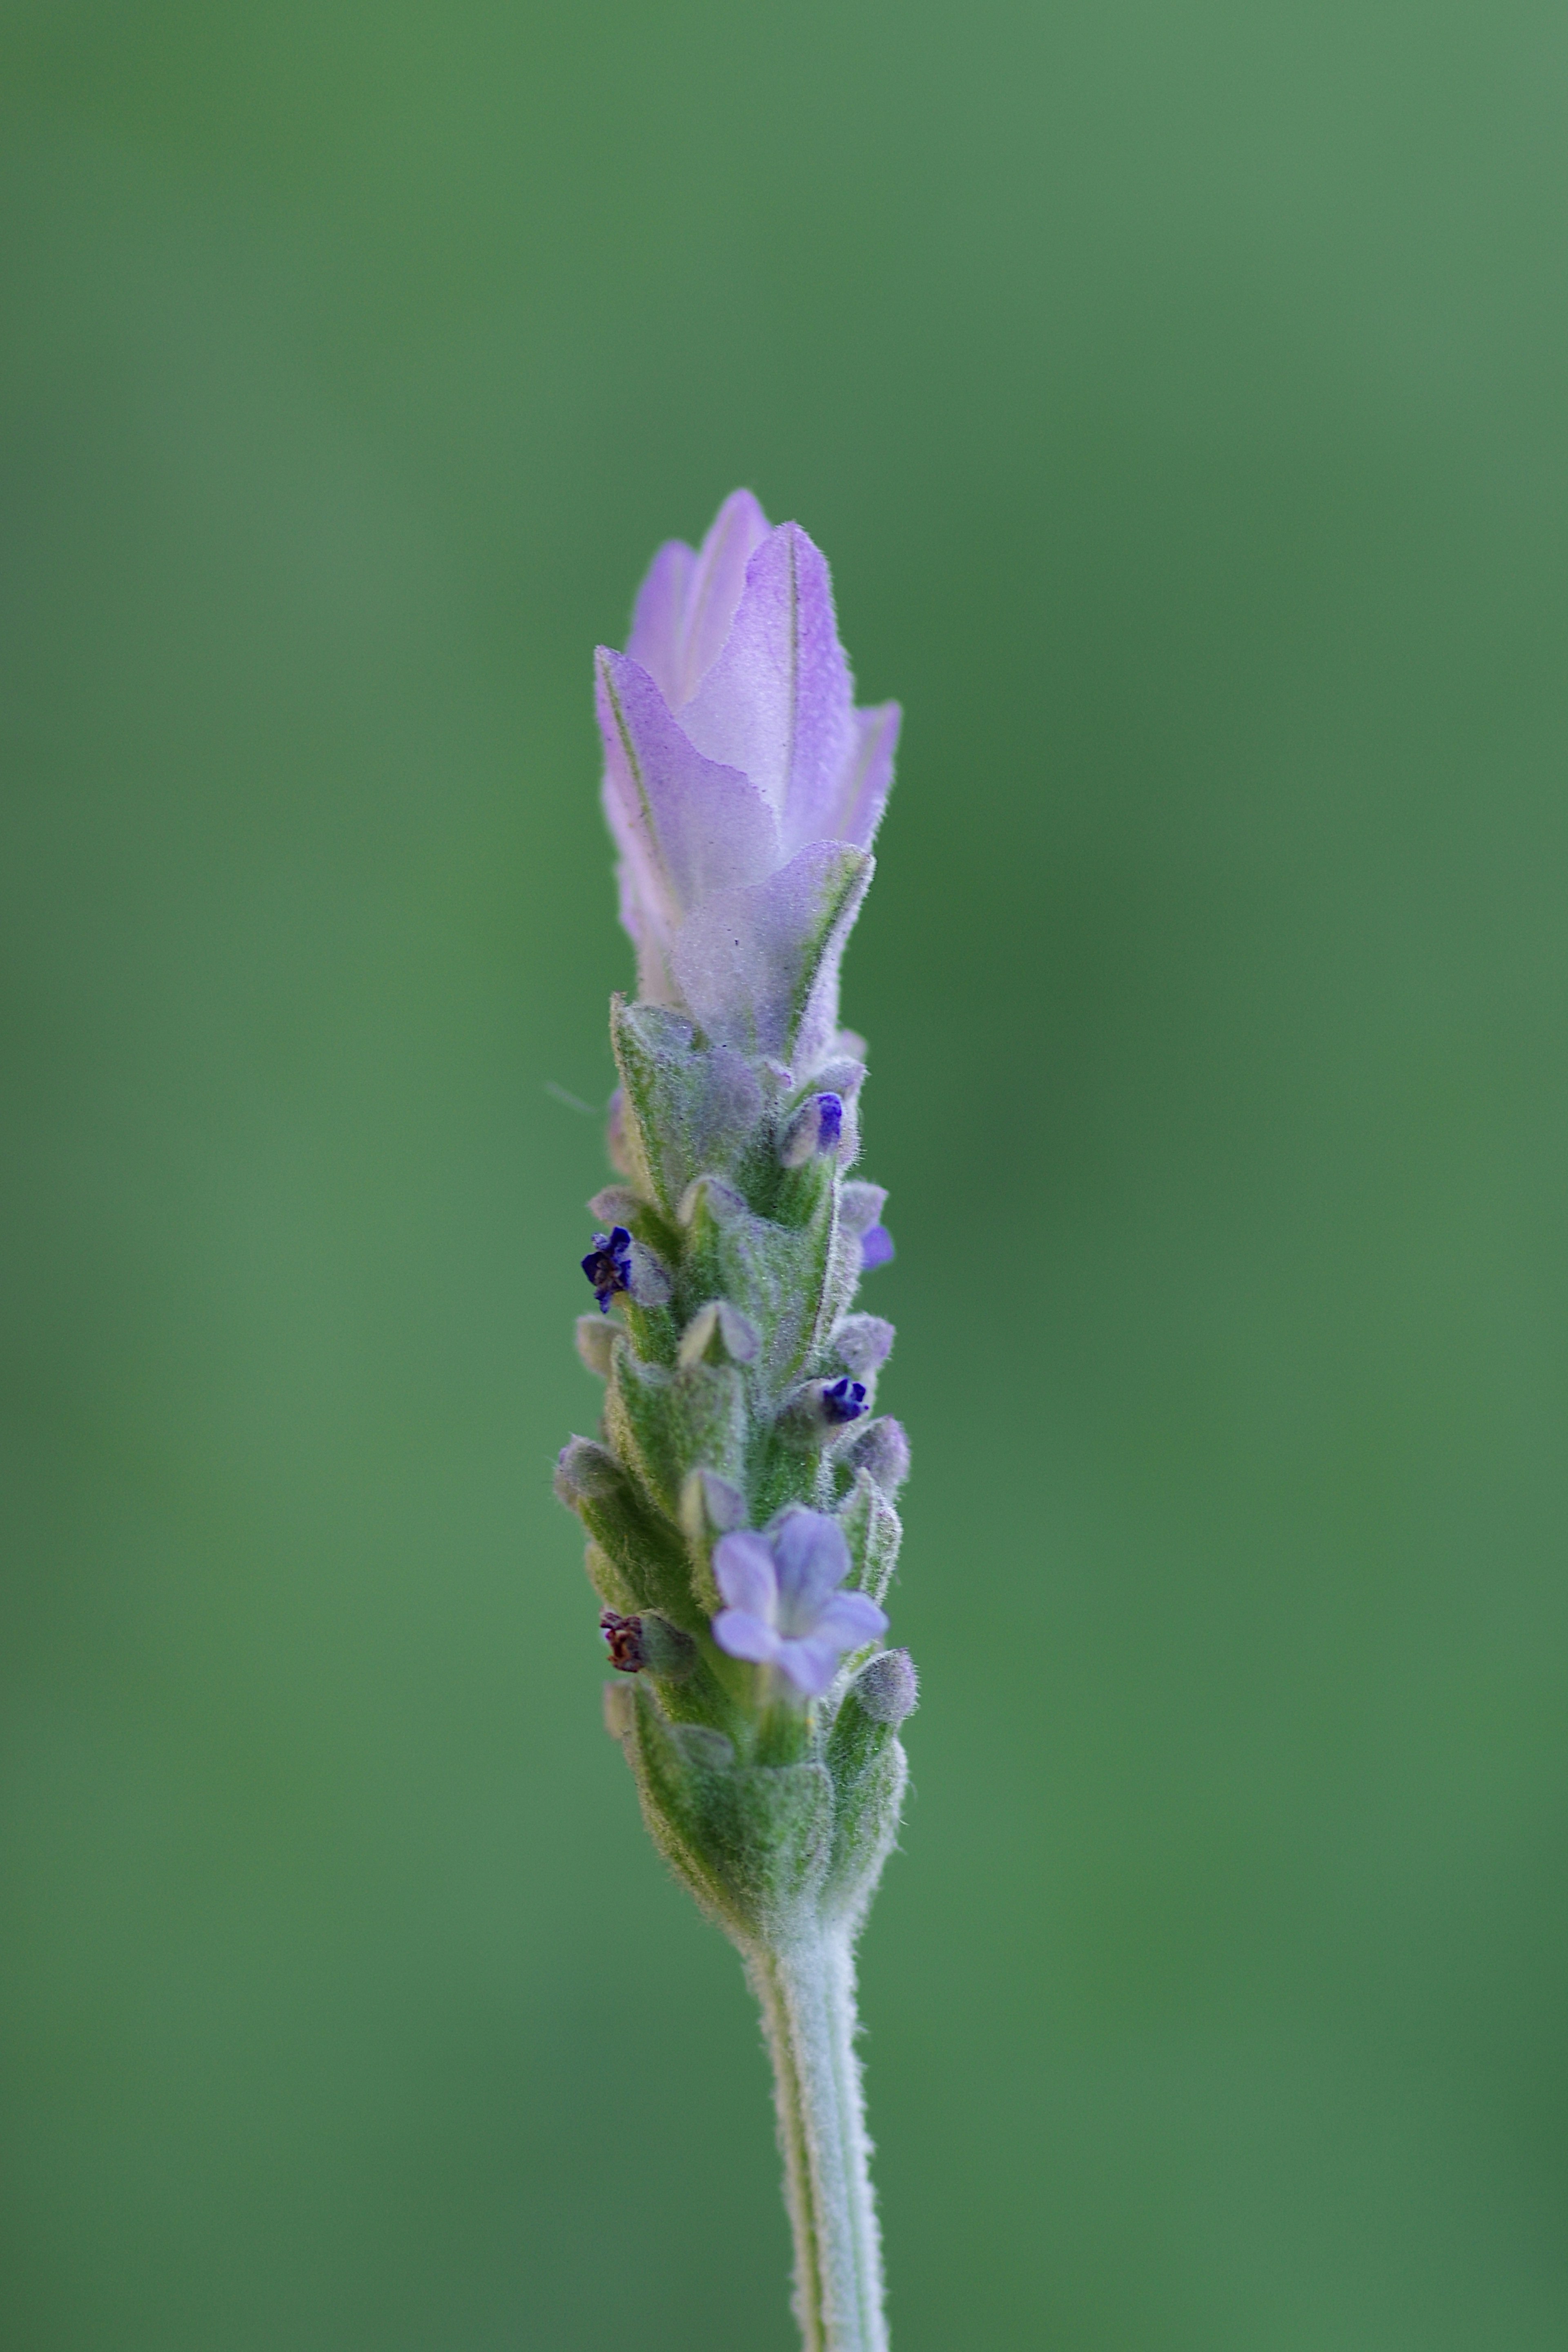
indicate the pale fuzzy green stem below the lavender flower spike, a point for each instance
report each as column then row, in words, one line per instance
column 808, row 1991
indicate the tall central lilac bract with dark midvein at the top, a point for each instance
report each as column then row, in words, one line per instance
column 779, row 700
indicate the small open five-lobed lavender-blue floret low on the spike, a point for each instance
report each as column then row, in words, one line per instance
column 786, row 1608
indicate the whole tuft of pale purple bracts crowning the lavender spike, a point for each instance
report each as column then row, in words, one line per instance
column 742, row 784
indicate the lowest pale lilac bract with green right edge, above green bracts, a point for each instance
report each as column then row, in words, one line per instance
column 760, row 968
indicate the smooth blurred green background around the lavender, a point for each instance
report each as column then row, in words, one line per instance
column 1181, row 399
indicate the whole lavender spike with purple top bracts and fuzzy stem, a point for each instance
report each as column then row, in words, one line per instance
column 739, row 1499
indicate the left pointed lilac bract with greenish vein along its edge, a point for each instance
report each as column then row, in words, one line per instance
column 690, row 827
